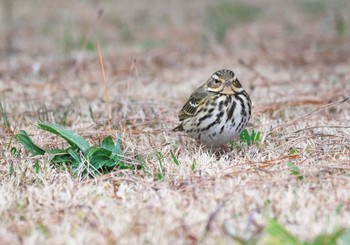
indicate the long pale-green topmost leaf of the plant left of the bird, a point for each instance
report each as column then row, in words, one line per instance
column 72, row 137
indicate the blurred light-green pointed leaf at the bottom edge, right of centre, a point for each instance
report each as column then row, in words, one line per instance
column 277, row 234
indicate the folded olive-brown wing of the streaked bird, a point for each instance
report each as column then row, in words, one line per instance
column 191, row 106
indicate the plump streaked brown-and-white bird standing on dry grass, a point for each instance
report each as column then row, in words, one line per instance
column 217, row 111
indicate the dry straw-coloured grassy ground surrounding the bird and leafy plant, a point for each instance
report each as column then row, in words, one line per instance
column 292, row 57
